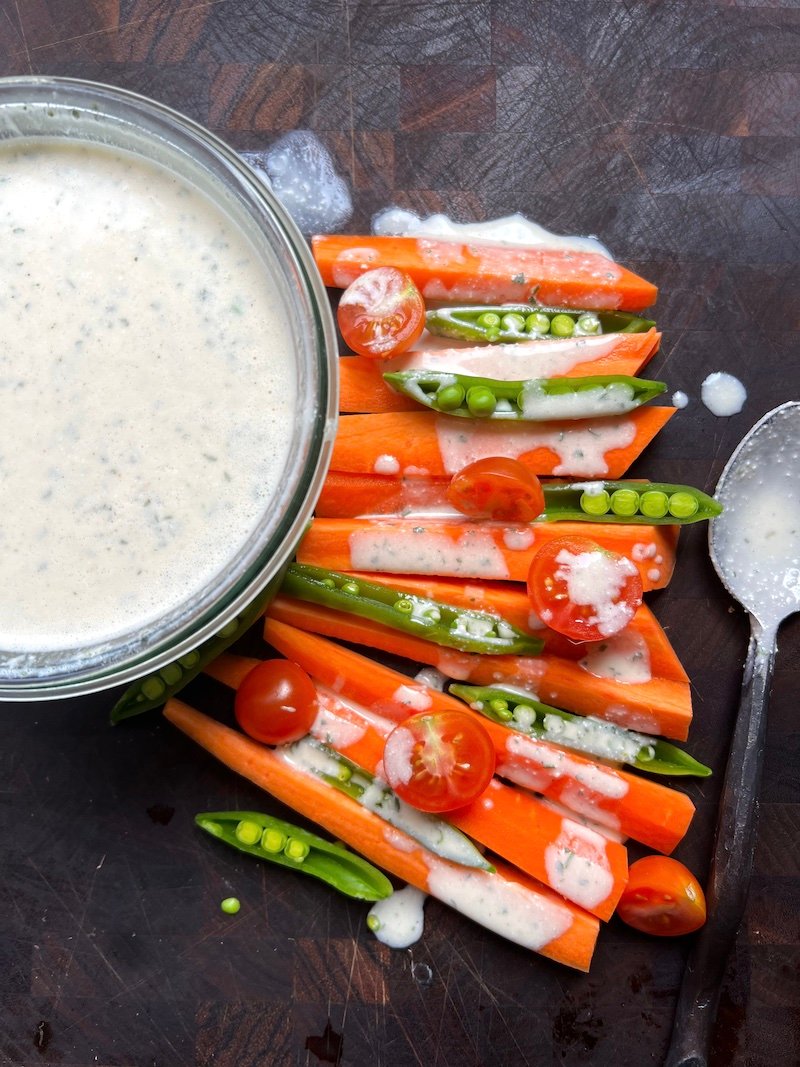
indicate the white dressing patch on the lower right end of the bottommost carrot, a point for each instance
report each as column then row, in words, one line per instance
column 515, row 912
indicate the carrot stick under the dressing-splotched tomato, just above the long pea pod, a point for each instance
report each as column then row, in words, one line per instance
column 510, row 601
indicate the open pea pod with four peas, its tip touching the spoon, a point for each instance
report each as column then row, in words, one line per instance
column 652, row 503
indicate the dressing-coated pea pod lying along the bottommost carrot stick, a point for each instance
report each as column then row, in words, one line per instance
column 376, row 797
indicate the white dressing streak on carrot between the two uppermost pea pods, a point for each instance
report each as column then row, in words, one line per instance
column 508, row 363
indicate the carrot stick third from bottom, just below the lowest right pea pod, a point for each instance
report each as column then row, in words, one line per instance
column 648, row 811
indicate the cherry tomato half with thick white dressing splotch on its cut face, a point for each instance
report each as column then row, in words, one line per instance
column 582, row 591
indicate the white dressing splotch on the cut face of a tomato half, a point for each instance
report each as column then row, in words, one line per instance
column 596, row 580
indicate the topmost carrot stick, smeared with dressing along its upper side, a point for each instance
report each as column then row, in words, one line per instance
column 487, row 274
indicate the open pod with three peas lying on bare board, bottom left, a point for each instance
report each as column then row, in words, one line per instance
column 273, row 839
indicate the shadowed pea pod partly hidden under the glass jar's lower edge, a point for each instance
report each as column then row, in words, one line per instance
column 155, row 690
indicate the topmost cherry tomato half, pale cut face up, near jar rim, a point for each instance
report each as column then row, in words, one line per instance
column 381, row 314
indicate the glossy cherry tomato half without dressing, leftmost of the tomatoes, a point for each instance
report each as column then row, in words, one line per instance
column 277, row 704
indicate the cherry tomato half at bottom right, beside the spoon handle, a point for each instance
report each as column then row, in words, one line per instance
column 662, row 898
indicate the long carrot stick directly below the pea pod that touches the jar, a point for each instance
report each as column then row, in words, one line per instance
column 659, row 707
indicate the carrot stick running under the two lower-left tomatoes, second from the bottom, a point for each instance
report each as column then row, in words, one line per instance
column 511, row 823
